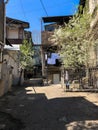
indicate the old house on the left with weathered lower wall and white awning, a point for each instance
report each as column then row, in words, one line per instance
column 10, row 60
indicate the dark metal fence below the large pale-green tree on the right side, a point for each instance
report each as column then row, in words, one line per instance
column 80, row 80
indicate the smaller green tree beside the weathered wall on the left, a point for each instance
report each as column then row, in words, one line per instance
column 27, row 52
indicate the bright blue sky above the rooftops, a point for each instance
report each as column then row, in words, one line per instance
column 32, row 10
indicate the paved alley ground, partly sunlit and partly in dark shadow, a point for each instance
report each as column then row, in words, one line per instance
column 48, row 108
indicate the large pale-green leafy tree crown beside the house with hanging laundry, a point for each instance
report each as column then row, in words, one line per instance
column 74, row 40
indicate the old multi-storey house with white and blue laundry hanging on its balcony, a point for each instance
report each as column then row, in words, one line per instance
column 51, row 65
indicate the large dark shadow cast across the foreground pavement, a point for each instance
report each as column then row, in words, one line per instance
column 36, row 112
